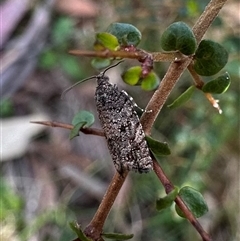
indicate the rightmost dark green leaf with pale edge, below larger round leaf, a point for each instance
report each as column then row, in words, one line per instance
column 218, row 85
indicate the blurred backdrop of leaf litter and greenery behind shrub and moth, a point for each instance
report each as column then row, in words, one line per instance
column 48, row 181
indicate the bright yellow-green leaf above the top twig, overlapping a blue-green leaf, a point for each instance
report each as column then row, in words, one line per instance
column 107, row 40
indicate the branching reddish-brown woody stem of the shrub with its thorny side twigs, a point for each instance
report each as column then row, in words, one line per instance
column 94, row 229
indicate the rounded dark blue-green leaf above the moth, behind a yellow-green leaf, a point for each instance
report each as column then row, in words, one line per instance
column 126, row 33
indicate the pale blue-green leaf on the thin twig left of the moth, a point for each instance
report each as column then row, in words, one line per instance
column 81, row 119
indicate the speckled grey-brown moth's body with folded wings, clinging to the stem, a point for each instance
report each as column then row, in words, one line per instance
column 122, row 128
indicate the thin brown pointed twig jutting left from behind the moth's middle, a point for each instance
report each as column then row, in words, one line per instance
column 85, row 130
